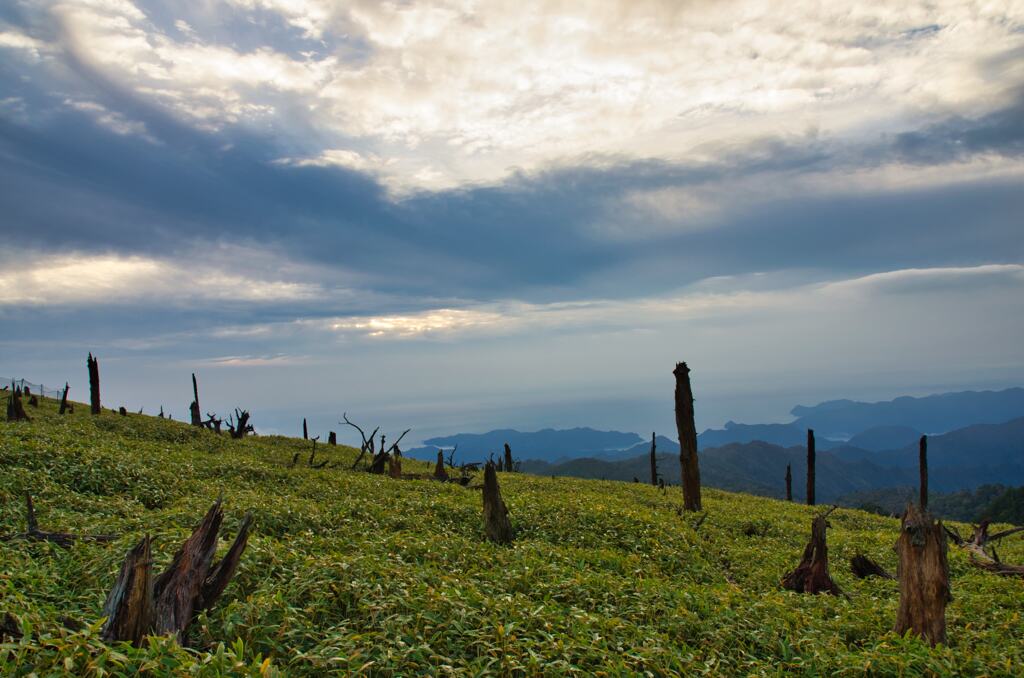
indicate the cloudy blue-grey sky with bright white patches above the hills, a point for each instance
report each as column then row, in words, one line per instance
column 457, row 217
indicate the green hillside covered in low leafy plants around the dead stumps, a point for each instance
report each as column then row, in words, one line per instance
column 349, row 572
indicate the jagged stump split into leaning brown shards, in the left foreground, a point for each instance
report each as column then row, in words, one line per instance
column 140, row 605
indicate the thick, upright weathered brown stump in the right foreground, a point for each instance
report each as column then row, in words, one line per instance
column 924, row 577
